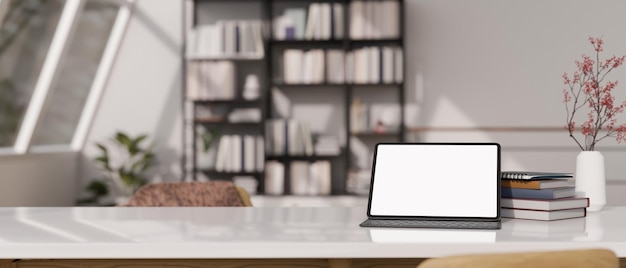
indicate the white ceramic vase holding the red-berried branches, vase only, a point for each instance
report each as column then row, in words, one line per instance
column 590, row 179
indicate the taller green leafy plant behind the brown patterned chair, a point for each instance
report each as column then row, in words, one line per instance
column 125, row 162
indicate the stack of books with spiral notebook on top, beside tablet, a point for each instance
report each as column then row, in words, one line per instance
column 540, row 196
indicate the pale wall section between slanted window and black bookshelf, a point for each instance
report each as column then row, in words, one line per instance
column 143, row 94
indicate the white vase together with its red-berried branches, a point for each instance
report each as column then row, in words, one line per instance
column 589, row 98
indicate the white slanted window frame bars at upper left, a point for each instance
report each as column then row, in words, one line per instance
column 49, row 73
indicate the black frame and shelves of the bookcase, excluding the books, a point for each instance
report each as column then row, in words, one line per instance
column 341, row 164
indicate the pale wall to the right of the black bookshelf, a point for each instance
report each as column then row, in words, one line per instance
column 494, row 63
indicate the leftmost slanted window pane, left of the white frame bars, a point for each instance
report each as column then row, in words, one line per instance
column 25, row 37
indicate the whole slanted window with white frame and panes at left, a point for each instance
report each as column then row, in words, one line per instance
column 50, row 59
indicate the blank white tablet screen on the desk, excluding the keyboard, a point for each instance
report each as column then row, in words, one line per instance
column 437, row 180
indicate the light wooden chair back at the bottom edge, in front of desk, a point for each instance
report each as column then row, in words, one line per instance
column 588, row 258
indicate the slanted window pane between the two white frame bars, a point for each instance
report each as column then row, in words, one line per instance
column 67, row 96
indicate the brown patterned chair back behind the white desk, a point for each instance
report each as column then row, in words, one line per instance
column 190, row 194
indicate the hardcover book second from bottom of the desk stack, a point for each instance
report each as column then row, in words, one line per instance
column 545, row 204
